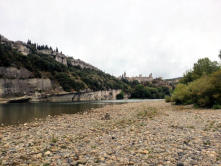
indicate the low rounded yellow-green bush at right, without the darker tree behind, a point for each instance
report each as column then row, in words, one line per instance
column 203, row 92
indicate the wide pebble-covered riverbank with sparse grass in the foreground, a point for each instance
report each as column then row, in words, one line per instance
column 147, row 133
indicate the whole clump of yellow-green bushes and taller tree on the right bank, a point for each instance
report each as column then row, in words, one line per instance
column 200, row 86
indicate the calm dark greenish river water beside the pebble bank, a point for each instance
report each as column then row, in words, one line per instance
column 26, row 112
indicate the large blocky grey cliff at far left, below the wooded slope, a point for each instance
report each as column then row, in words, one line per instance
column 20, row 82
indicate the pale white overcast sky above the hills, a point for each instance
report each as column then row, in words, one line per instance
column 163, row 37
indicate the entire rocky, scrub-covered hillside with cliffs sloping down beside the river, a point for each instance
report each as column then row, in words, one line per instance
column 28, row 69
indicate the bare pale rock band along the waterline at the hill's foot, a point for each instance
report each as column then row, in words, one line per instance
column 21, row 82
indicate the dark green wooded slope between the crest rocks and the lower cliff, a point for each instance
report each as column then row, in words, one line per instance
column 44, row 65
